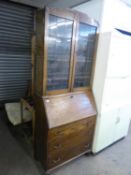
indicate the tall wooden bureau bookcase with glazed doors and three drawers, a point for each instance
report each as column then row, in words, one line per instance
column 64, row 103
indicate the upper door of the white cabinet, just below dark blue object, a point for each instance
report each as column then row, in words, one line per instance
column 119, row 64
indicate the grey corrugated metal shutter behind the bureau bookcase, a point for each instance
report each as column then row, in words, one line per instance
column 16, row 27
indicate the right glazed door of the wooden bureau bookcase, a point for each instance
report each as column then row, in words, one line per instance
column 84, row 53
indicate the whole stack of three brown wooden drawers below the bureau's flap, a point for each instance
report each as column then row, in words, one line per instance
column 69, row 141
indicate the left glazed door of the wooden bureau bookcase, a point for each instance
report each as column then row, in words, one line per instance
column 59, row 52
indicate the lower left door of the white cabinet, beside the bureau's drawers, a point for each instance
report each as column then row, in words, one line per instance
column 104, row 132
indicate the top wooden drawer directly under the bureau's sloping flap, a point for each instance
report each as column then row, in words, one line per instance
column 70, row 130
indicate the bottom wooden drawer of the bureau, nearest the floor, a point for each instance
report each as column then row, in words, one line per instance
column 60, row 156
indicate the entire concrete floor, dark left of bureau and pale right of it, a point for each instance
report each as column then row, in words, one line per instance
column 16, row 160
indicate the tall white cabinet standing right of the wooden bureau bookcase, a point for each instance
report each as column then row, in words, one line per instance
column 112, row 89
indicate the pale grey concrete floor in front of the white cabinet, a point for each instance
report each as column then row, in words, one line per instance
column 115, row 160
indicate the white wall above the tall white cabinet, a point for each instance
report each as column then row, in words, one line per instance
column 109, row 13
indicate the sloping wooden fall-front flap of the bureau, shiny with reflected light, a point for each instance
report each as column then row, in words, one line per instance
column 67, row 108
